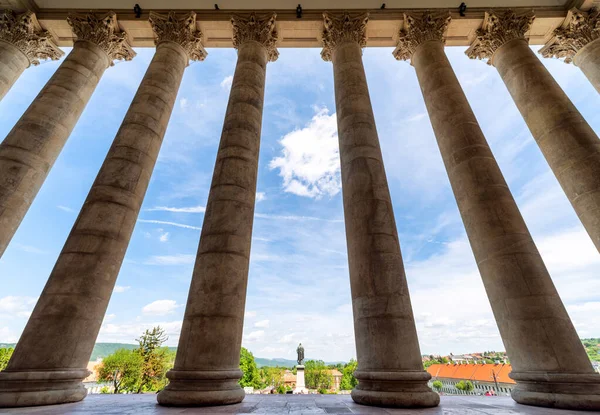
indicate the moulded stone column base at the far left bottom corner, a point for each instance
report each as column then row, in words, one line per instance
column 34, row 388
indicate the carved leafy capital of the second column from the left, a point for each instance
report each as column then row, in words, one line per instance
column 104, row 32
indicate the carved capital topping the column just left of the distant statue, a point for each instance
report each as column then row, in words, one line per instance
column 261, row 29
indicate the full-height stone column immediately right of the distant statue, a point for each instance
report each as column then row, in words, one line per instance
column 390, row 371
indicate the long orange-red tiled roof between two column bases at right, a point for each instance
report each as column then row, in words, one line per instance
column 478, row 372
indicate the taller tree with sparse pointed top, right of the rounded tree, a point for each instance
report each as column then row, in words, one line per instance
column 157, row 360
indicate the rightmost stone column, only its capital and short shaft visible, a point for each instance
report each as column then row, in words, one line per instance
column 577, row 41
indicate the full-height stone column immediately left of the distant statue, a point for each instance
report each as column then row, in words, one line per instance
column 206, row 368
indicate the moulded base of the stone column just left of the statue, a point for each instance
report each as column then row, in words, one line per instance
column 202, row 388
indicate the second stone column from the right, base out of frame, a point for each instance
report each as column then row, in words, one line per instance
column 569, row 144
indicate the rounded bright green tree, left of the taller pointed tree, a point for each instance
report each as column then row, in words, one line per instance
column 124, row 369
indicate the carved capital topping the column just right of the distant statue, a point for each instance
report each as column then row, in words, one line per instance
column 341, row 28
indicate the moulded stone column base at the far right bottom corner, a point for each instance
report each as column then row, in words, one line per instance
column 563, row 391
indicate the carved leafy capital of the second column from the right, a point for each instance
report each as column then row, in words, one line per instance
column 499, row 28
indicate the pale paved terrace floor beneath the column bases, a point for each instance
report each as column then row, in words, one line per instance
column 288, row 404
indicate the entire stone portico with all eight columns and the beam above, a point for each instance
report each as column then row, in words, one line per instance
column 48, row 365
